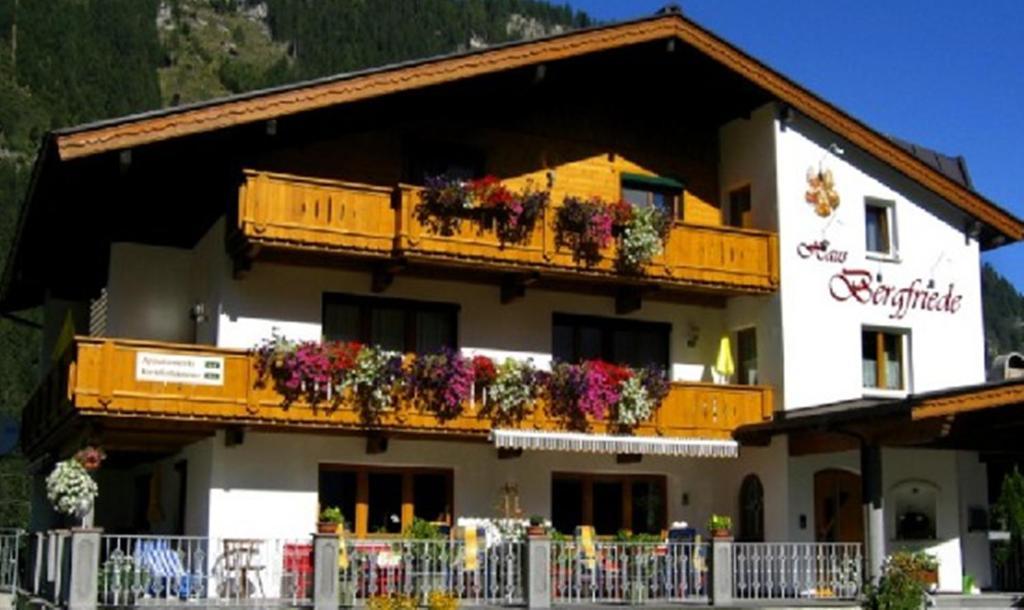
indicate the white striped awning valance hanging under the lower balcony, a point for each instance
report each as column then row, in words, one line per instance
column 607, row 444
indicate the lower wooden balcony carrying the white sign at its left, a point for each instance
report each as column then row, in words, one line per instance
column 101, row 378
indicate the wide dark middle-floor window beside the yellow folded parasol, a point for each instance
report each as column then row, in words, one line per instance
column 579, row 338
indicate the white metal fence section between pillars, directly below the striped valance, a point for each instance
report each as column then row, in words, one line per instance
column 629, row 573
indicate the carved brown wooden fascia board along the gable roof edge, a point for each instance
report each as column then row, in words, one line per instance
column 147, row 128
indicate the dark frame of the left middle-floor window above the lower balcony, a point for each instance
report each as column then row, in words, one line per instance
column 410, row 309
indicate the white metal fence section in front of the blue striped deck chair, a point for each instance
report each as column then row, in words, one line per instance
column 155, row 571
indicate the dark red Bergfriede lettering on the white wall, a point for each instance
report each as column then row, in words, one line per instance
column 860, row 286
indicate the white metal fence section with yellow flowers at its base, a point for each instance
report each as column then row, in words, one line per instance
column 491, row 575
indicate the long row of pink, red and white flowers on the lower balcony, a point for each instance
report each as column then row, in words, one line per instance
column 444, row 383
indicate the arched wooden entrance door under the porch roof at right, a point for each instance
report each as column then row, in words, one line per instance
column 839, row 513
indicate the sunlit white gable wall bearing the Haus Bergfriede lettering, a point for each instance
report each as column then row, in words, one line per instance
column 823, row 341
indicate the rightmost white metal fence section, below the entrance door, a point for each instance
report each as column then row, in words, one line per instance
column 797, row 571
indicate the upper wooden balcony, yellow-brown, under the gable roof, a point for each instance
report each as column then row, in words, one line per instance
column 281, row 211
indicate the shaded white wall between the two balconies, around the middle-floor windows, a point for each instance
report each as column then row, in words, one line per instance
column 290, row 300
